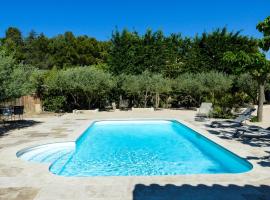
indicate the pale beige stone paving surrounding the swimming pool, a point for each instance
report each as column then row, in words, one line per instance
column 22, row 180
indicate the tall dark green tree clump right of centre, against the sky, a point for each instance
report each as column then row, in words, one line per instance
column 206, row 51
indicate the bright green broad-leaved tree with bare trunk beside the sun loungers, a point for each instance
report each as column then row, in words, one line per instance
column 257, row 65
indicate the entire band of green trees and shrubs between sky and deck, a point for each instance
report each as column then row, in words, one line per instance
column 78, row 72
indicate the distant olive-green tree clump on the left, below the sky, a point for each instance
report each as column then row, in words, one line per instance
column 62, row 51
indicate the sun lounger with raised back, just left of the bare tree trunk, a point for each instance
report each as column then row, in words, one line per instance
column 235, row 122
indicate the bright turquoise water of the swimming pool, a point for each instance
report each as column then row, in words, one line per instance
column 143, row 148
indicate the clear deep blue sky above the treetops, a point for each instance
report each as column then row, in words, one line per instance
column 98, row 18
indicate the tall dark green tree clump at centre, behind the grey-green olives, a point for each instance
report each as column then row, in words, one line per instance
column 131, row 53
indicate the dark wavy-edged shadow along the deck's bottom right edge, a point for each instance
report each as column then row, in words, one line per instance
column 201, row 192
